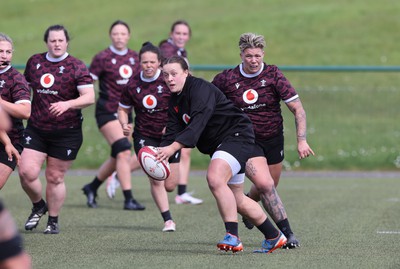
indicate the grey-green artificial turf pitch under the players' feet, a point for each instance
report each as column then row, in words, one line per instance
column 340, row 220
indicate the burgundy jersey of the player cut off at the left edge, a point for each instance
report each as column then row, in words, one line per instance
column 14, row 89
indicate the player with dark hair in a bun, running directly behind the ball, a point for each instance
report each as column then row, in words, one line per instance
column 148, row 95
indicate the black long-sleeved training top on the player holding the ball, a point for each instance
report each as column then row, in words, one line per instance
column 202, row 116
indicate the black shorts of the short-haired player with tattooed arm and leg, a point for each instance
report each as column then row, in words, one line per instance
column 272, row 149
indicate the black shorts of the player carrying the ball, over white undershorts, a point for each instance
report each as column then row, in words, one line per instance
column 240, row 148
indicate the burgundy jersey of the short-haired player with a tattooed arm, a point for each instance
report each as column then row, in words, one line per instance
column 259, row 96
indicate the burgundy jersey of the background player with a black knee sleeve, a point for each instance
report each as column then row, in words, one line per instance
column 113, row 69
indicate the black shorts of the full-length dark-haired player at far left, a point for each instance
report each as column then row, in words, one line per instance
column 60, row 144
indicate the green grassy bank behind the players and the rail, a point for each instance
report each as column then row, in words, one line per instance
column 352, row 116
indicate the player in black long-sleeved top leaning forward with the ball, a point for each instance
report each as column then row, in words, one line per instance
column 200, row 115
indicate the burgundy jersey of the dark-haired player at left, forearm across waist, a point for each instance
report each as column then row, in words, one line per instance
column 54, row 80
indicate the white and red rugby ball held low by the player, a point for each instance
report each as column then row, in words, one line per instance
column 151, row 166
